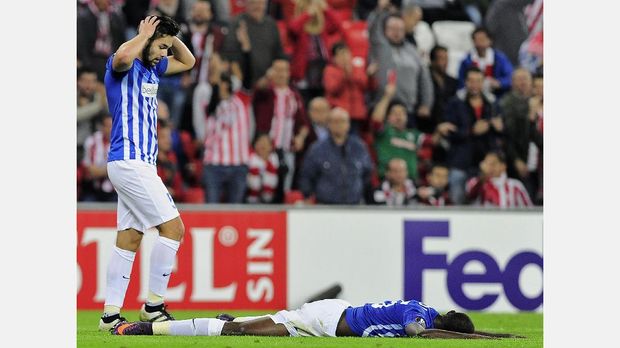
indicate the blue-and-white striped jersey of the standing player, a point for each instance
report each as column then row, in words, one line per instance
column 132, row 100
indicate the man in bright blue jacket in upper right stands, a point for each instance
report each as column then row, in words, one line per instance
column 494, row 64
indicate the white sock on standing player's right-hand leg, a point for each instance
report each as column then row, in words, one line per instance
column 162, row 260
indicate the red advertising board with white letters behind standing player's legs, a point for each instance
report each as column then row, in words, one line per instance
column 233, row 260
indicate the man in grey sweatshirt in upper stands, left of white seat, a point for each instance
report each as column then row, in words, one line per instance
column 398, row 59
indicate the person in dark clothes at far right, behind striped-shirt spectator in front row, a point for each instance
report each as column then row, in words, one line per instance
column 514, row 108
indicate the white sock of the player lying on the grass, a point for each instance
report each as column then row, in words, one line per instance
column 189, row 327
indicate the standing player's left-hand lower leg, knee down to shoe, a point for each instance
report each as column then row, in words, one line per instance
column 118, row 274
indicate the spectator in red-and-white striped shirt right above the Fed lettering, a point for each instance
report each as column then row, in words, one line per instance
column 494, row 188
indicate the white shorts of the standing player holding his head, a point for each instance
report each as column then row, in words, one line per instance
column 143, row 199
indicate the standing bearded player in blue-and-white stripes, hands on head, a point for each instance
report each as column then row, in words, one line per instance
column 131, row 81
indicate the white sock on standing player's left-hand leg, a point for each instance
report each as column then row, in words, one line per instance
column 117, row 277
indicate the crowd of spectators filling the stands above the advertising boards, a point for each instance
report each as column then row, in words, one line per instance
column 331, row 101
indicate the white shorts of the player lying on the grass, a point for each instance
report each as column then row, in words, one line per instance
column 318, row 318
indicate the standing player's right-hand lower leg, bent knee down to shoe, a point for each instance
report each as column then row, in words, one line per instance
column 162, row 261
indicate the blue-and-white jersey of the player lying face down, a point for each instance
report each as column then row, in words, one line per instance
column 389, row 319
